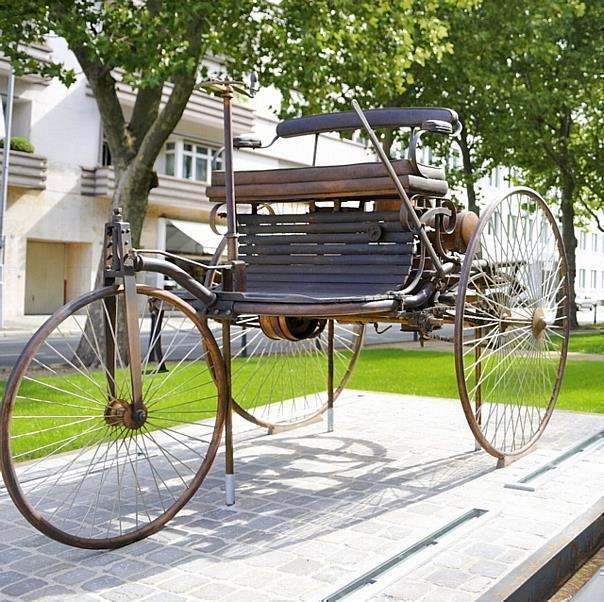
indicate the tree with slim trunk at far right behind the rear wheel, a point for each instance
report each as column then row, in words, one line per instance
column 553, row 89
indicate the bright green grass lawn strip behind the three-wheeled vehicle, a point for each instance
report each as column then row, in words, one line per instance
column 187, row 396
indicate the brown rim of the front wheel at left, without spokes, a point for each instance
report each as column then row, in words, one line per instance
column 12, row 481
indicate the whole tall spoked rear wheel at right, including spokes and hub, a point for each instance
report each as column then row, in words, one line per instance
column 511, row 323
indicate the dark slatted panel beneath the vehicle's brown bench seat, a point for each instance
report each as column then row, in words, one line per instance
column 325, row 254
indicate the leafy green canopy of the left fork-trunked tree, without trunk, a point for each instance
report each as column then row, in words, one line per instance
column 150, row 42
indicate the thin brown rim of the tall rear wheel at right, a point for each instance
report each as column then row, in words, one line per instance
column 492, row 447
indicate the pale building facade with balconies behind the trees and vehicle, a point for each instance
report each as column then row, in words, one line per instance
column 59, row 197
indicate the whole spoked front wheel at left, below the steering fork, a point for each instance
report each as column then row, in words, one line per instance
column 75, row 461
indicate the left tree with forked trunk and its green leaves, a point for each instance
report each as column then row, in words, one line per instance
column 155, row 46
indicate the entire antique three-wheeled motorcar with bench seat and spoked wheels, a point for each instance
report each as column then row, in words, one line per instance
column 115, row 411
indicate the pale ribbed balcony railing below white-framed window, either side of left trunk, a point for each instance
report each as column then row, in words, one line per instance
column 171, row 192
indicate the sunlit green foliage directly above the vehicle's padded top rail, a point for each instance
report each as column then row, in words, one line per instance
column 325, row 53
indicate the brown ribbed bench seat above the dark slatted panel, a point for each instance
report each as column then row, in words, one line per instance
column 357, row 181
